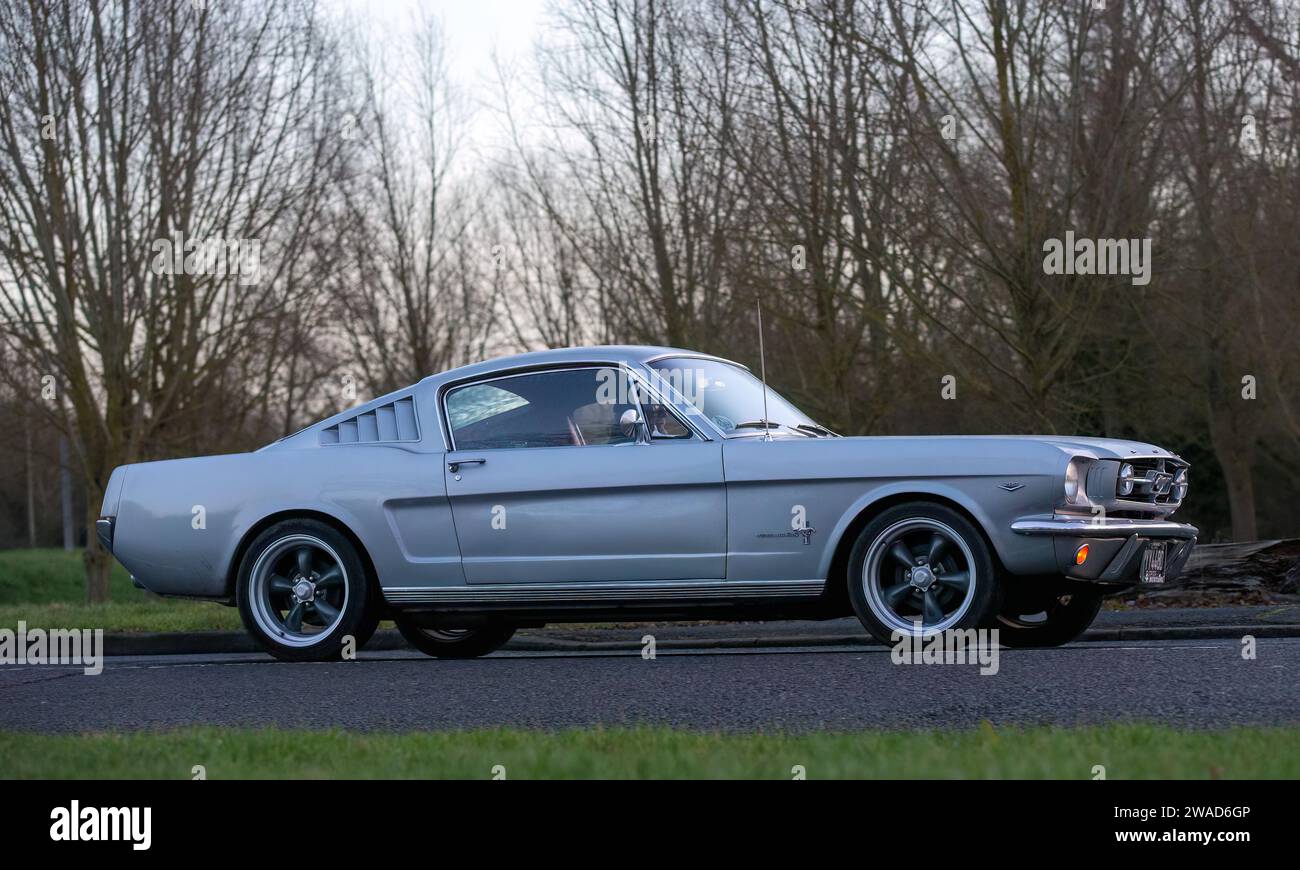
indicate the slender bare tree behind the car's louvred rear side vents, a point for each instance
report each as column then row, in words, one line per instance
column 418, row 293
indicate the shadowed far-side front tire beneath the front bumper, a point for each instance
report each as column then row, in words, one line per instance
column 1046, row 612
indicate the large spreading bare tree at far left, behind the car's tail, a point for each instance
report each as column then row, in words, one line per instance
column 161, row 178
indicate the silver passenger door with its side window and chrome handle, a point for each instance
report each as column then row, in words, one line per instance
column 547, row 487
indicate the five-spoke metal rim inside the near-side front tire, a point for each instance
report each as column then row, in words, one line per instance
column 920, row 570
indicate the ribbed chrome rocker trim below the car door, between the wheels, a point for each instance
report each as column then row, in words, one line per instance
column 601, row 592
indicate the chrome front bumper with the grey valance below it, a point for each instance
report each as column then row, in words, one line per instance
column 1116, row 547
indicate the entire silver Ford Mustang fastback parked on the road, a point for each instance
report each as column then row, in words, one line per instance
column 640, row 483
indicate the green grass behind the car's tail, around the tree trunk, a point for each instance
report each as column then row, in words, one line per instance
column 46, row 588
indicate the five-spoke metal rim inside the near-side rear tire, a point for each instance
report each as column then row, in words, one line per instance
column 298, row 591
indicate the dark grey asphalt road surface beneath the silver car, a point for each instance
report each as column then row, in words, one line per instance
column 1185, row 683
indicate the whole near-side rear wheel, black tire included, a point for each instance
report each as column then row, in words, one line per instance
column 345, row 607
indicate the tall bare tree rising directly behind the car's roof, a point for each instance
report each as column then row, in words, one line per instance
column 635, row 106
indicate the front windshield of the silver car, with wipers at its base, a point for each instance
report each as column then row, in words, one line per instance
column 731, row 397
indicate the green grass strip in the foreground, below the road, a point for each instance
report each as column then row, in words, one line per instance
column 1128, row 752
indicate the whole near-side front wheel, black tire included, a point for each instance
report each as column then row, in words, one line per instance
column 885, row 604
